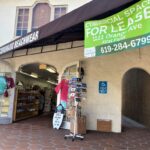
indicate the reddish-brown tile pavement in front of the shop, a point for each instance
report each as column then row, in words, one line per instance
column 37, row 134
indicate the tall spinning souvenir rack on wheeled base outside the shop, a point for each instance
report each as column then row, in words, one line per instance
column 76, row 94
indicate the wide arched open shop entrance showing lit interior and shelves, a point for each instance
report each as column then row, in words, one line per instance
column 35, row 93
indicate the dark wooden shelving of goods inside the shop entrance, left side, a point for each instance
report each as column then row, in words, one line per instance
column 26, row 105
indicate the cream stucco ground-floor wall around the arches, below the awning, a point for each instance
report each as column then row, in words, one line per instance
column 110, row 68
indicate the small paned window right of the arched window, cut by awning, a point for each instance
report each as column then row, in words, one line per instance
column 59, row 11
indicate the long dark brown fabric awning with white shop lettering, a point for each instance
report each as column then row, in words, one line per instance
column 69, row 27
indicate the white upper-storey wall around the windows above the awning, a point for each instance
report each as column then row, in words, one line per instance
column 8, row 14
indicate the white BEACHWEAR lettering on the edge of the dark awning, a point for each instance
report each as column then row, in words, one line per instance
column 34, row 36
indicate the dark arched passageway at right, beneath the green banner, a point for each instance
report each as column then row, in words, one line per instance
column 136, row 98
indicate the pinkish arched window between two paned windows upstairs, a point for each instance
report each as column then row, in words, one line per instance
column 41, row 15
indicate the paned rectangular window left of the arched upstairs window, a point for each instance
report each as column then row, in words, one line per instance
column 22, row 21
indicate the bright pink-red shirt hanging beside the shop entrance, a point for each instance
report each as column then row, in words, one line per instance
column 63, row 88
